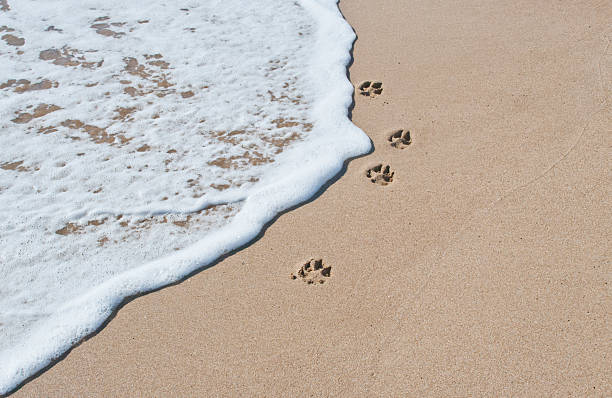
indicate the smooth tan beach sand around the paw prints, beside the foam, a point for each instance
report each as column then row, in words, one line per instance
column 482, row 268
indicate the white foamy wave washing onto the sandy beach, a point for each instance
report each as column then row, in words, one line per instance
column 96, row 200
